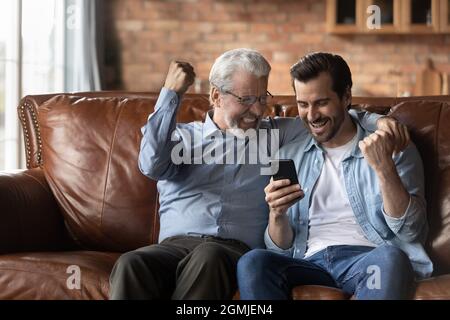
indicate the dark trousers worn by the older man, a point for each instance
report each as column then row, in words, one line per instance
column 180, row 267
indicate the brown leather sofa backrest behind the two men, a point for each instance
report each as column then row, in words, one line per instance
column 88, row 145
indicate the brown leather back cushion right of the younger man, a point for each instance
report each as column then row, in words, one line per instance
column 428, row 125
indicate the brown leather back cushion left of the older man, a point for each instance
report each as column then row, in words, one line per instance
column 90, row 150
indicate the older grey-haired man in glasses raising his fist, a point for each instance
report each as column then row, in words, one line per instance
column 211, row 212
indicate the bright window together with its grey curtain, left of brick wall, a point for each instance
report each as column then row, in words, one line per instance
column 46, row 46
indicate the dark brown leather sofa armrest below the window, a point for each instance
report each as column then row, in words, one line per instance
column 30, row 219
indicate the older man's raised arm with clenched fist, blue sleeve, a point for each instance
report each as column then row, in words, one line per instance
column 157, row 141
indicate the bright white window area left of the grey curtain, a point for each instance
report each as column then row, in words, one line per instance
column 31, row 62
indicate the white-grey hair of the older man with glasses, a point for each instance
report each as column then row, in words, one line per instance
column 234, row 60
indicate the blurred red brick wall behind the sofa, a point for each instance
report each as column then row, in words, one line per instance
column 144, row 35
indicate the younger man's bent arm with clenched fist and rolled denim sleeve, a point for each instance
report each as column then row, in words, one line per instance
column 401, row 181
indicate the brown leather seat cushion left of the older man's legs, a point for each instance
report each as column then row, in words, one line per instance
column 44, row 276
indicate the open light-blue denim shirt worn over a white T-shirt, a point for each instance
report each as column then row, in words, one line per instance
column 408, row 232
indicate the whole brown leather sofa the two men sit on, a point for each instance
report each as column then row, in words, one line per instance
column 82, row 201
